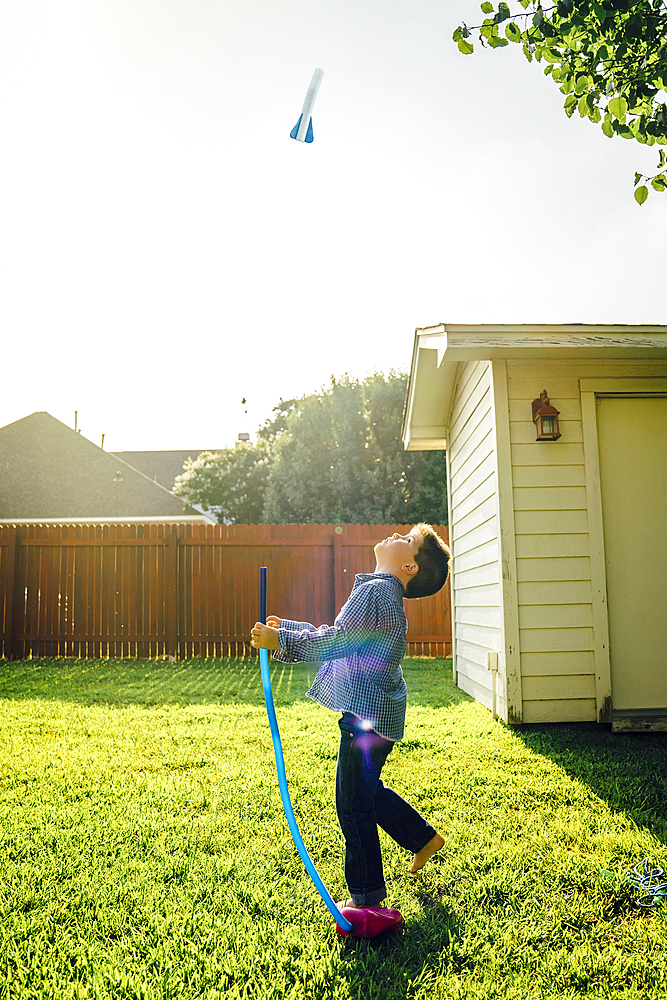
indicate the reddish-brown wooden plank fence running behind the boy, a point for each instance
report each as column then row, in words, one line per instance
column 181, row 590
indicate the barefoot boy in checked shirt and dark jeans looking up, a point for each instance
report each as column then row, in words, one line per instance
column 362, row 678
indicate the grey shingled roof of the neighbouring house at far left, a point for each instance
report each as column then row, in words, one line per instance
column 50, row 472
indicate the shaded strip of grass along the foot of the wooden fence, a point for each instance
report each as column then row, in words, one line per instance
column 200, row 681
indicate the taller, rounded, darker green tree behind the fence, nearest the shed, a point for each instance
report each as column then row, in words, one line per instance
column 338, row 456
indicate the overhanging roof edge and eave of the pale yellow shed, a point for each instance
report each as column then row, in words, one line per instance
column 438, row 350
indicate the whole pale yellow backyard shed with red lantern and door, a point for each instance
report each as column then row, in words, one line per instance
column 559, row 545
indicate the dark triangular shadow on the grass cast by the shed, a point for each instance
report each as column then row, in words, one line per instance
column 627, row 770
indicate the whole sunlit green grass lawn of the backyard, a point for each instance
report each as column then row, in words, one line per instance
column 144, row 852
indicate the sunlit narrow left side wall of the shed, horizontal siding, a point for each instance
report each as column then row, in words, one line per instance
column 474, row 533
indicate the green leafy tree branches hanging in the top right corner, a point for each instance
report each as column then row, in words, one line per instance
column 609, row 59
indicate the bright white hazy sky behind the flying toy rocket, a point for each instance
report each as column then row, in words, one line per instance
column 166, row 250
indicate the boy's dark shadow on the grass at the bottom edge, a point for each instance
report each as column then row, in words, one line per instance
column 395, row 967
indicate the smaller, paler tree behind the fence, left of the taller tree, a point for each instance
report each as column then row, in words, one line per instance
column 231, row 482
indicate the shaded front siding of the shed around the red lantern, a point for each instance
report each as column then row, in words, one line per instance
column 552, row 543
